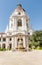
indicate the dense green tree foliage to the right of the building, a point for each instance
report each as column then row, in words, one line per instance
column 36, row 39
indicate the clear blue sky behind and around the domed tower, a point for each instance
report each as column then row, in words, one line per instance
column 32, row 7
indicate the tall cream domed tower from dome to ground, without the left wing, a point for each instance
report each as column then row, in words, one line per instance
column 18, row 27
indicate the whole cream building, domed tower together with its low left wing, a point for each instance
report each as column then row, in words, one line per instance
column 16, row 34
